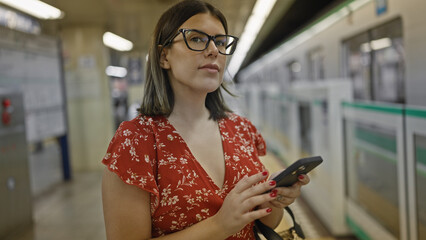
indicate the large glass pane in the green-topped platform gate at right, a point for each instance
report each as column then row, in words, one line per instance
column 372, row 176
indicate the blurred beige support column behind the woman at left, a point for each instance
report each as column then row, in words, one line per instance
column 89, row 105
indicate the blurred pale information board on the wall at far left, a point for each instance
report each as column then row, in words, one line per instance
column 32, row 63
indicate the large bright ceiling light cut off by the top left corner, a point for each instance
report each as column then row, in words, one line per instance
column 35, row 8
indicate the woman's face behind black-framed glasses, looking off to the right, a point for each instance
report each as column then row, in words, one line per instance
column 191, row 71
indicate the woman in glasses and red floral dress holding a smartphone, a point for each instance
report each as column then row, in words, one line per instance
column 186, row 167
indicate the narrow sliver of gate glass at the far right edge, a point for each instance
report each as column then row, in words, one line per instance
column 420, row 158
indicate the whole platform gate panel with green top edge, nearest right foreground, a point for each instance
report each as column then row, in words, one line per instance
column 375, row 170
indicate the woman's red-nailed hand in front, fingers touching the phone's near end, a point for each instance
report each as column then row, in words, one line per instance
column 238, row 208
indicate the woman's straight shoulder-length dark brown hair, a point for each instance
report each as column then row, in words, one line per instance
column 158, row 96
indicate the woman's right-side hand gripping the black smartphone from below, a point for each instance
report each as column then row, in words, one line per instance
column 286, row 195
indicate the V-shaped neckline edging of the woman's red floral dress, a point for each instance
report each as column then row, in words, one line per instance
column 197, row 163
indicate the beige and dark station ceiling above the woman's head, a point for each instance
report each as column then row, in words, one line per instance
column 135, row 19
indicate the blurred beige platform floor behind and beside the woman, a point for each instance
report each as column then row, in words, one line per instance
column 73, row 211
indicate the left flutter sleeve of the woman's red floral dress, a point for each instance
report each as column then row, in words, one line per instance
column 132, row 155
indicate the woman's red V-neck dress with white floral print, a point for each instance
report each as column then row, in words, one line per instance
column 149, row 153
